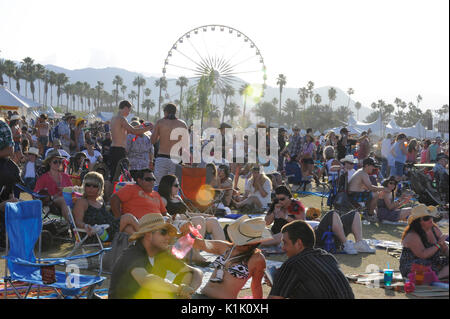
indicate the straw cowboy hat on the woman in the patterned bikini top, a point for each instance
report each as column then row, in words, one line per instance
column 245, row 231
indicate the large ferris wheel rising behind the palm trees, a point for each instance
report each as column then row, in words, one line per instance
column 227, row 53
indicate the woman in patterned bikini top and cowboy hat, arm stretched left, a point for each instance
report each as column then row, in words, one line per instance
column 237, row 262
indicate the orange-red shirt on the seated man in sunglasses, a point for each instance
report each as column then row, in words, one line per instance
column 139, row 203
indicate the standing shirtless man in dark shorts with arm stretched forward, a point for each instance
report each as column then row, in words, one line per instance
column 120, row 128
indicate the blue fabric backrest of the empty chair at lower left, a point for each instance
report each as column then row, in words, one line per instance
column 23, row 222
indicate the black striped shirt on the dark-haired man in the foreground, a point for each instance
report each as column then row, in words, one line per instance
column 311, row 274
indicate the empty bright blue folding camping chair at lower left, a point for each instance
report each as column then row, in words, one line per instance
column 23, row 229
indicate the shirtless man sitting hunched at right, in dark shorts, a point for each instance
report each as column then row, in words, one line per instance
column 360, row 187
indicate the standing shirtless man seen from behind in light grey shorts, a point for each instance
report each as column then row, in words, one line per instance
column 163, row 162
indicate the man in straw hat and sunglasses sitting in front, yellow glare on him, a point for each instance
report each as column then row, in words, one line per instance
column 147, row 270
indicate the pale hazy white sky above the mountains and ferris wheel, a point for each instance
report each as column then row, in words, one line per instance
column 382, row 49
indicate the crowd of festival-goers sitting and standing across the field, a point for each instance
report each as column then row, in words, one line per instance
column 47, row 155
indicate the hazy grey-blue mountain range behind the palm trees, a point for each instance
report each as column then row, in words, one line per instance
column 106, row 75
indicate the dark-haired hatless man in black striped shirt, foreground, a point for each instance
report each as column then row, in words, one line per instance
column 309, row 272
